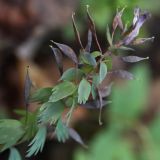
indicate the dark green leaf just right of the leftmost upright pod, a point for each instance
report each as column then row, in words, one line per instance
column 41, row 95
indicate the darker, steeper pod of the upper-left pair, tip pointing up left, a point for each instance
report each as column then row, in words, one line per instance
column 58, row 56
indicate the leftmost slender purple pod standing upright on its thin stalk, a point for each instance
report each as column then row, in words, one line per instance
column 27, row 89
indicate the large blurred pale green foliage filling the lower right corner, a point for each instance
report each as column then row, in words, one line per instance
column 127, row 137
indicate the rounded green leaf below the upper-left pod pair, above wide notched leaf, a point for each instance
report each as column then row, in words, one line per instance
column 72, row 74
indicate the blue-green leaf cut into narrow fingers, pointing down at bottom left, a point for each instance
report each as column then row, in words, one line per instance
column 38, row 142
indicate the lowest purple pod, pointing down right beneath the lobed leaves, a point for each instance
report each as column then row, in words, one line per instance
column 75, row 136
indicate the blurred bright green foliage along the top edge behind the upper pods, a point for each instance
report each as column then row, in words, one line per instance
column 103, row 11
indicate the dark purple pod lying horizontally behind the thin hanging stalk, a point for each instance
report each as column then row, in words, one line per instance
column 95, row 104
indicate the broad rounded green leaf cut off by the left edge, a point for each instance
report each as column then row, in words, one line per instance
column 10, row 132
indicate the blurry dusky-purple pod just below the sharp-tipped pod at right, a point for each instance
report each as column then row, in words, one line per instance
column 123, row 74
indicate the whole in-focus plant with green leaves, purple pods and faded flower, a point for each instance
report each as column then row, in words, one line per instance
column 77, row 86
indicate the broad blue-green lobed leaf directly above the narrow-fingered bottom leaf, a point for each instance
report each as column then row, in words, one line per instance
column 51, row 112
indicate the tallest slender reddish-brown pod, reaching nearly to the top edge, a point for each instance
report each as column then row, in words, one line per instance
column 93, row 29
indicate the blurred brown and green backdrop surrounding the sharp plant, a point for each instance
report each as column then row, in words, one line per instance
column 26, row 28
